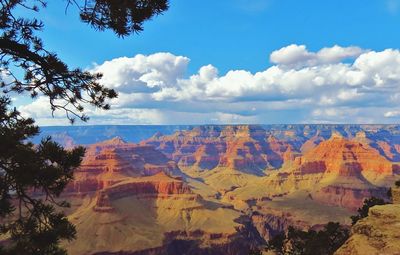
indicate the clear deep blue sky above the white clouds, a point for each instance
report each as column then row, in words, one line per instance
column 230, row 34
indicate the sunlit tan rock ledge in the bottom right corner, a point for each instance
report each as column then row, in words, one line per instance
column 376, row 234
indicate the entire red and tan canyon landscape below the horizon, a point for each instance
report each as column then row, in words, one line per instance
column 223, row 189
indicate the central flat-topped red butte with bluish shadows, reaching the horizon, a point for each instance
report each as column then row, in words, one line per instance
column 244, row 148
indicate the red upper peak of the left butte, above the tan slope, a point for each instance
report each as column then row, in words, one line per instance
column 111, row 161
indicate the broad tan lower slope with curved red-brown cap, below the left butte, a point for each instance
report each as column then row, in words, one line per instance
column 156, row 215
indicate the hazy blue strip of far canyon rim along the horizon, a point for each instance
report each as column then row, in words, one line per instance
column 90, row 134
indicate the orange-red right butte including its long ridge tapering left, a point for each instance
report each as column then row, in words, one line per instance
column 338, row 172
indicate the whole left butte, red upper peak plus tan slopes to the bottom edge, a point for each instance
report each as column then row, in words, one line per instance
column 129, row 199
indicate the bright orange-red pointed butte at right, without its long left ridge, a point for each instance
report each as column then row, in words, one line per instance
column 345, row 172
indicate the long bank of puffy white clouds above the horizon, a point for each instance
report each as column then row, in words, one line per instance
column 334, row 84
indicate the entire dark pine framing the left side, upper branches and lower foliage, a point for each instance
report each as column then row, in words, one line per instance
column 32, row 177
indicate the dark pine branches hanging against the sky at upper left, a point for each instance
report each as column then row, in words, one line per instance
column 43, row 72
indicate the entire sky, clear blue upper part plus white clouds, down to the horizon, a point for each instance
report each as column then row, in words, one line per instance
column 238, row 62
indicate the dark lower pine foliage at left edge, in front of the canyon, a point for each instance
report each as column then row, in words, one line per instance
column 31, row 221
